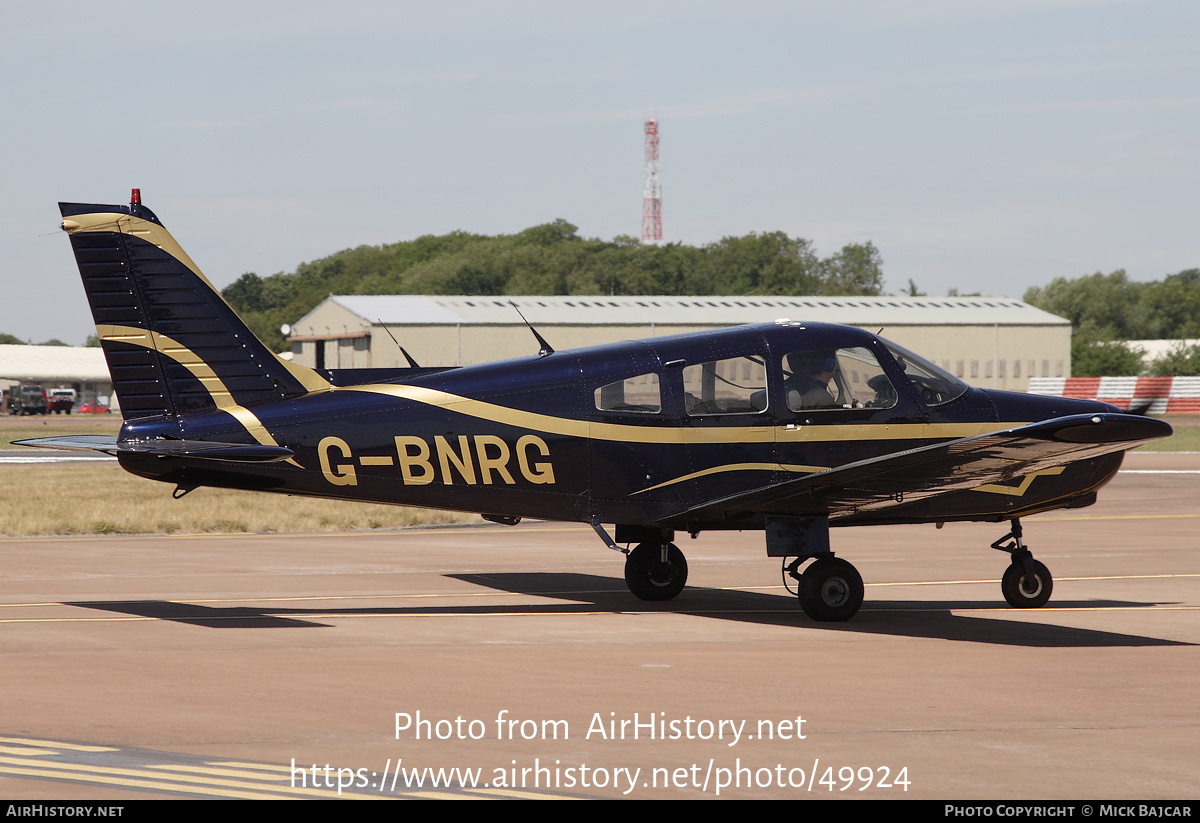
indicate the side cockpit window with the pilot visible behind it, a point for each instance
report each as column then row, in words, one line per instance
column 849, row 379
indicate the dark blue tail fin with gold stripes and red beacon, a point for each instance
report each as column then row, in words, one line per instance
column 173, row 345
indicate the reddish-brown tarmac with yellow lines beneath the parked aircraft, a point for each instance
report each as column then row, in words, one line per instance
column 259, row 666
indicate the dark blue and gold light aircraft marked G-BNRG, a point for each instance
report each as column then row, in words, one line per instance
column 789, row 428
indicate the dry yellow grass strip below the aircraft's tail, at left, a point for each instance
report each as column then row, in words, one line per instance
column 45, row 500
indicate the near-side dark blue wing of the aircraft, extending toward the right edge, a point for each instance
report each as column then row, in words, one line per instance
column 947, row 467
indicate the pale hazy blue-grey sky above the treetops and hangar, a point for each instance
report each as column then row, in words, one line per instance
column 988, row 146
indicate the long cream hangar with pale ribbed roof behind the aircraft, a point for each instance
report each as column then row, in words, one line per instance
column 992, row 343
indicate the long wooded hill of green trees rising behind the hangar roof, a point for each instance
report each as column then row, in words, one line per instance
column 555, row 260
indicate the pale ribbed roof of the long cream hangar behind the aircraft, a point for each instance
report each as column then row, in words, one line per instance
column 572, row 310
